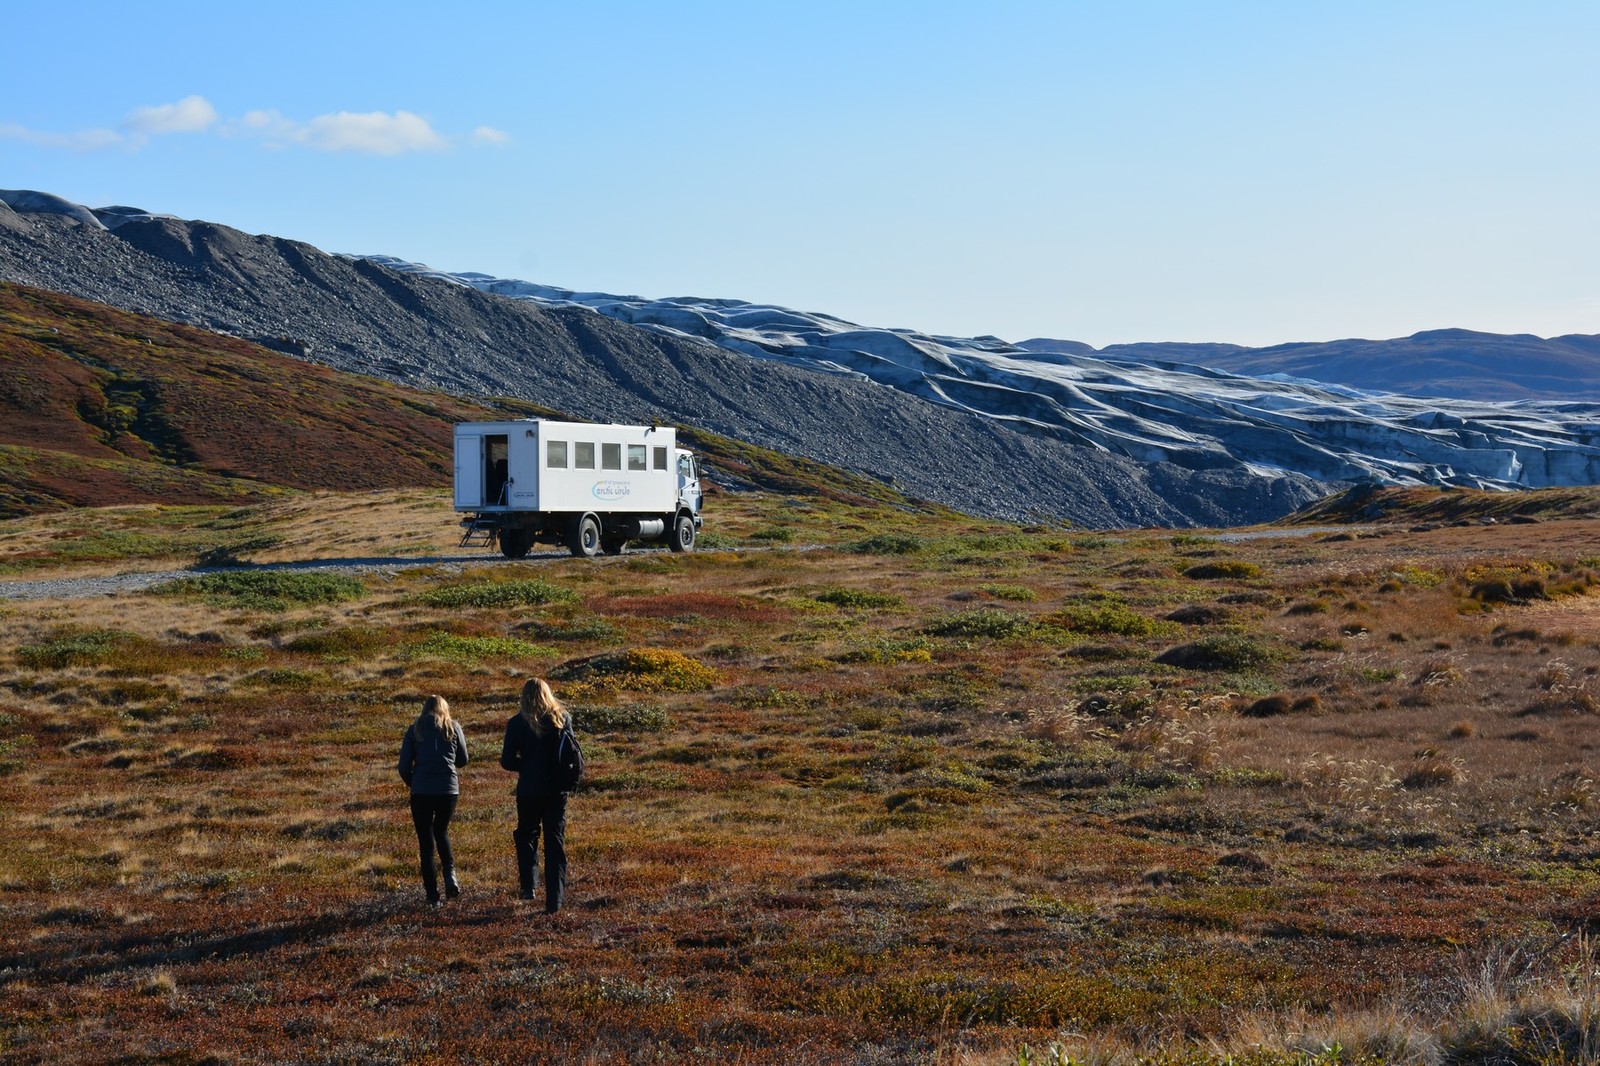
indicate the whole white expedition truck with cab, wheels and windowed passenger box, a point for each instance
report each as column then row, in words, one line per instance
column 590, row 487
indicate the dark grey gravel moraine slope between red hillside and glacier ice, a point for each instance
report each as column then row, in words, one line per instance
column 361, row 316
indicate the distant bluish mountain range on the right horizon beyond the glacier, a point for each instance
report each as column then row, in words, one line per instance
column 1434, row 364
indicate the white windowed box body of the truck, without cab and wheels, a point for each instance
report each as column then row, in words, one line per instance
column 591, row 468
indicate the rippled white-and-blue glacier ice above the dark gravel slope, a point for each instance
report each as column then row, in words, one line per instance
column 1130, row 403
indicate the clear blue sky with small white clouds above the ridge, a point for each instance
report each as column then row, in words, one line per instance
column 1100, row 172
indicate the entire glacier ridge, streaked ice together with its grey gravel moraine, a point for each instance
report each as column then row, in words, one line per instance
column 1113, row 438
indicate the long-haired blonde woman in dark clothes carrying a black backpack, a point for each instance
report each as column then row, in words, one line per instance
column 543, row 753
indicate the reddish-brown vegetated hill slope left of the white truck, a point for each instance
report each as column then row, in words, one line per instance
column 158, row 412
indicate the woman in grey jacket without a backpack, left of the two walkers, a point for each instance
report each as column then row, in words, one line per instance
column 433, row 751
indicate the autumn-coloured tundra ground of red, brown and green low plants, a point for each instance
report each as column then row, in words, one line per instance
column 898, row 787
